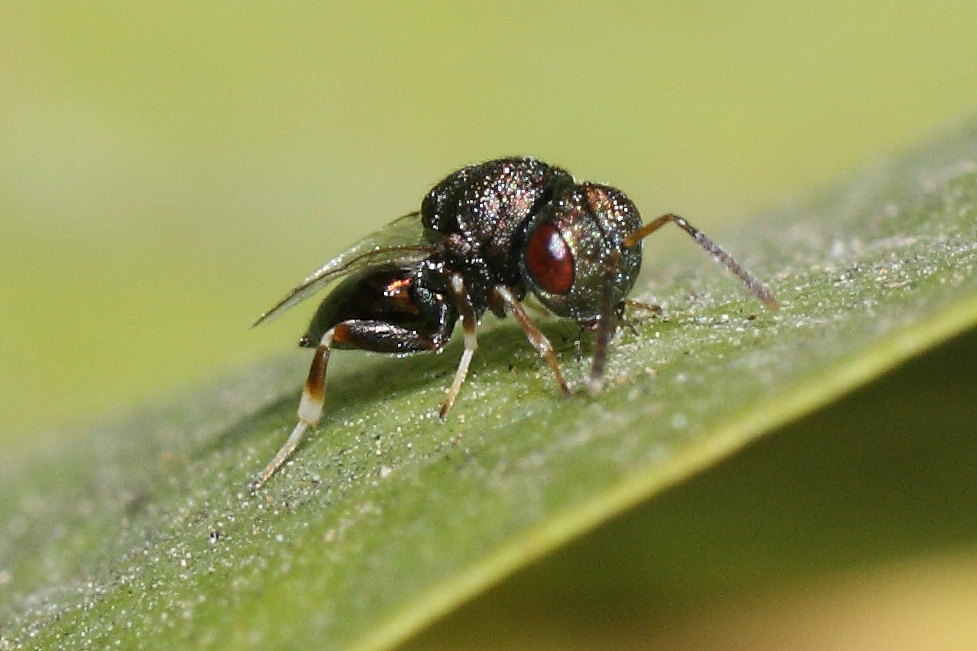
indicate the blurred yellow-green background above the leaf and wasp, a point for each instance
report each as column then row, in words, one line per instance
column 168, row 170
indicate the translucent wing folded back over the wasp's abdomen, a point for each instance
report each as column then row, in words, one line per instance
column 400, row 241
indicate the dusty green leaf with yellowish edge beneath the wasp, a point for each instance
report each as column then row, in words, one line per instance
column 142, row 532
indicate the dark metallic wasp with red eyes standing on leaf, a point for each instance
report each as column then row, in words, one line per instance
column 485, row 237
